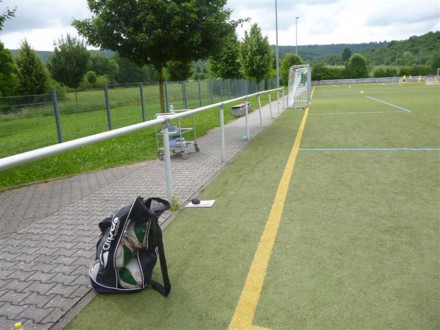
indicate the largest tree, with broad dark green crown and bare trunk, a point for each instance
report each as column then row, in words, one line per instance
column 156, row 31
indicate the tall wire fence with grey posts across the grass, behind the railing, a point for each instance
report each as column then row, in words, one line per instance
column 35, row 121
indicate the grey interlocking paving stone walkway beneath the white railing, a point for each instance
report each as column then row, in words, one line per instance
column 49, row 230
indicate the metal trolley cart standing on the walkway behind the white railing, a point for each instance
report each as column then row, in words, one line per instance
column 178, row 143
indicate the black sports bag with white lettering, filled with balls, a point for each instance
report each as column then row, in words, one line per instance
column 128, row 247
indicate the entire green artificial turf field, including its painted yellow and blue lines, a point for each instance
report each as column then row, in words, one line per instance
column 356, row 241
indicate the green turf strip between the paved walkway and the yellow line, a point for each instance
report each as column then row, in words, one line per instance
column 208, row 250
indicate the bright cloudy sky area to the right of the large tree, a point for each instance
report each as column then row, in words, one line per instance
column 341, row 21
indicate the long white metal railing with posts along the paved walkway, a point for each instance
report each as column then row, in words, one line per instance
column 19, row 159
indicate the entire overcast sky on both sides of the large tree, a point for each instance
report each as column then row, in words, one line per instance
column 43, row 22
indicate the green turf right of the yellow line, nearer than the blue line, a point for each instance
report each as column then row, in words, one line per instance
column 359, row 242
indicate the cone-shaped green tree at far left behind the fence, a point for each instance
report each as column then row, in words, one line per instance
column 32, row 75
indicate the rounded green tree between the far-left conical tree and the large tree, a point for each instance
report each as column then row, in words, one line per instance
column 69, row 62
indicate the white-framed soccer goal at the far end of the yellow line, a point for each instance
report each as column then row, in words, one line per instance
column 300, row 83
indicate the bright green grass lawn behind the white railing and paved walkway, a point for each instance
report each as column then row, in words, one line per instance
column 25, row 132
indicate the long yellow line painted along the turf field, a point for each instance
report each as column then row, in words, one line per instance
column 245, row 310
